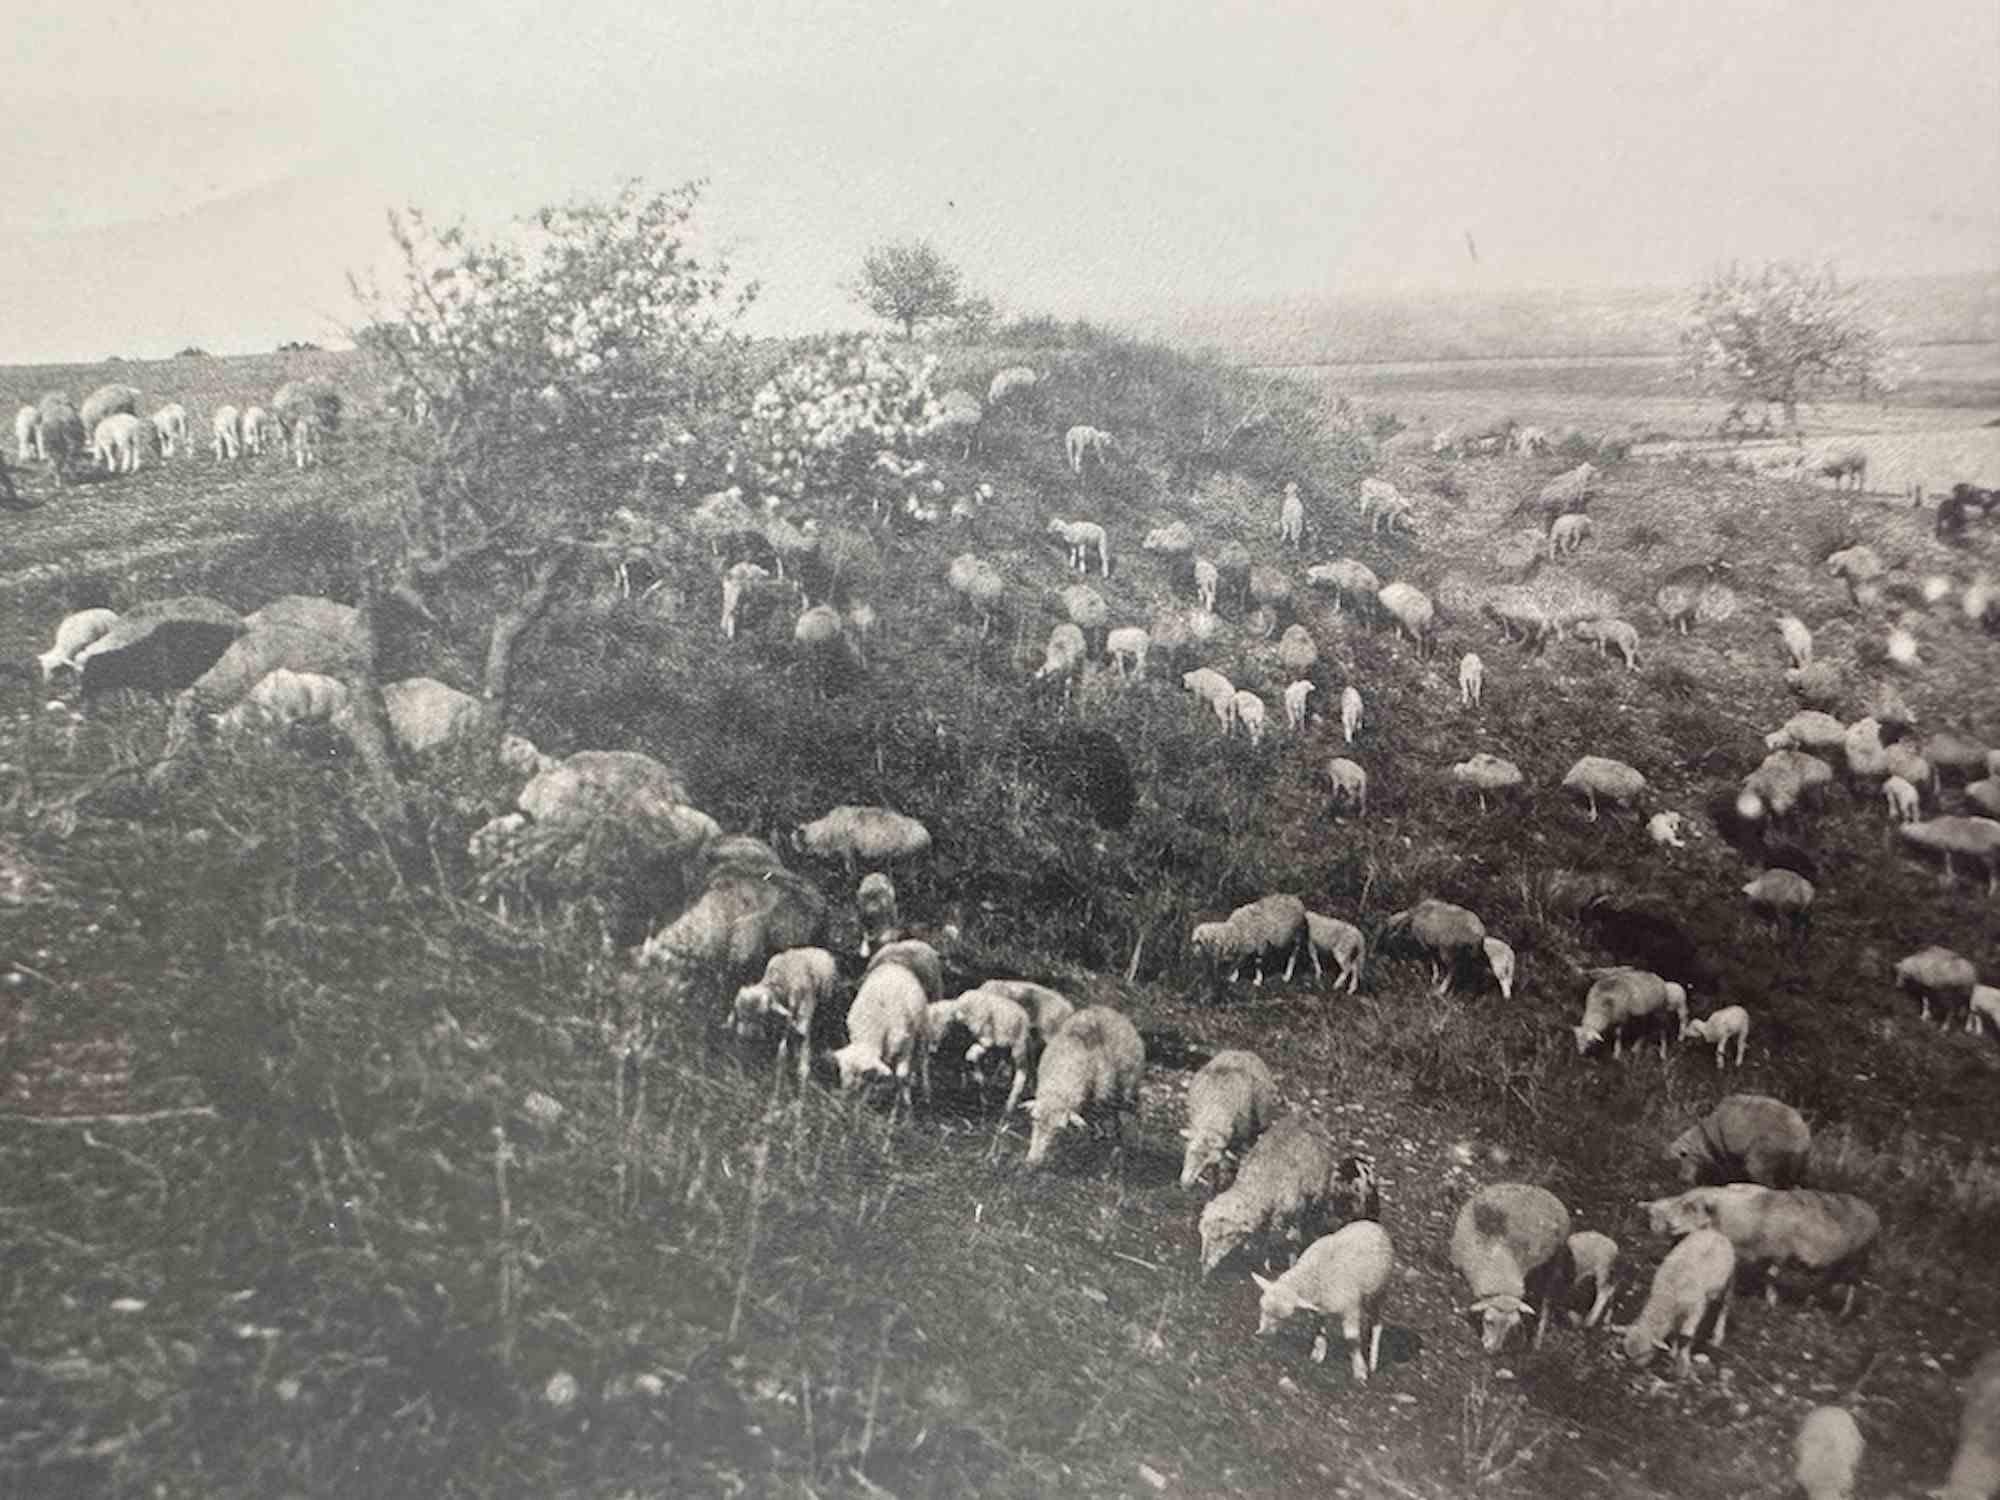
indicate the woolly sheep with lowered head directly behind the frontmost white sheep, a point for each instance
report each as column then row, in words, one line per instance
column 1293, row 1185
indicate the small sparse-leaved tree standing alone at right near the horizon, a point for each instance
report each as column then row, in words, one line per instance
column 1781, row 335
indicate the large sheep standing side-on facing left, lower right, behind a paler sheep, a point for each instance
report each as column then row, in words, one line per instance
column 1821, row 1231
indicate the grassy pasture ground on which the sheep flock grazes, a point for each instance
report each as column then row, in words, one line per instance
column 349, row 1251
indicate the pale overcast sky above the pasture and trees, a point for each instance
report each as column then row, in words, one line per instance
column 207, row 173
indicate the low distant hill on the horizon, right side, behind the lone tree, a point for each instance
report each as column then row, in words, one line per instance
column 1531, row 323
